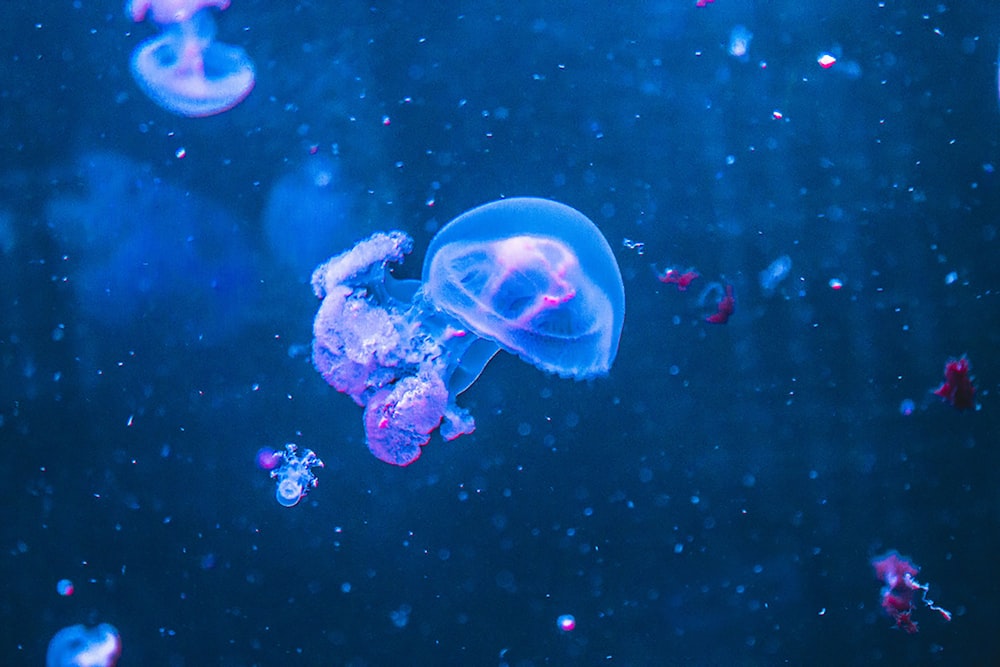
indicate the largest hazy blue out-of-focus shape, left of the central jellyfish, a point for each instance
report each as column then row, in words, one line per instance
column 141, row 250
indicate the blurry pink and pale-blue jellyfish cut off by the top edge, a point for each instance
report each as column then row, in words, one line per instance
column 184, row 69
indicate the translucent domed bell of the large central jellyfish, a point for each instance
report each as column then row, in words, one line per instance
column 534, row 276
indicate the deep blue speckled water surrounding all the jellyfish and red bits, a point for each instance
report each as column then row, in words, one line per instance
column 715, row 500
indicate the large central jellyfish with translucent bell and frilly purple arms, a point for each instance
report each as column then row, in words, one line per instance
column 529, row 276
